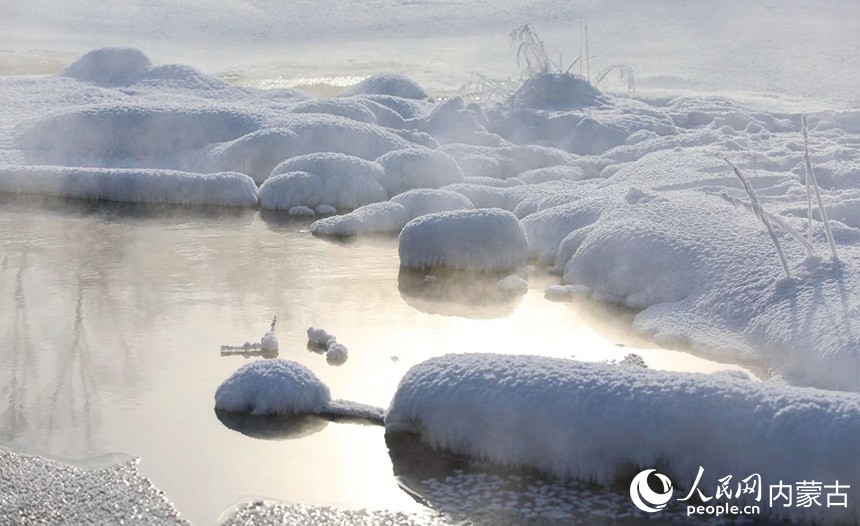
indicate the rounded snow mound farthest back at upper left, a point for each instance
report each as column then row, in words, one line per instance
column 109, row 67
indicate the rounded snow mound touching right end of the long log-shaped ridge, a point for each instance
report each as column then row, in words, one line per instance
column 335, row 179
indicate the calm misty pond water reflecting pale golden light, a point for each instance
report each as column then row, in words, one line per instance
column 114, row 316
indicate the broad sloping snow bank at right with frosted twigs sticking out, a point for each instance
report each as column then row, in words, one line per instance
column 657, row 236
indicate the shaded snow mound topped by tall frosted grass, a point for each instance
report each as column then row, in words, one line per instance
column 556, row 91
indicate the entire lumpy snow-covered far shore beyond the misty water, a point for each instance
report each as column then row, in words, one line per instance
column 620, row 197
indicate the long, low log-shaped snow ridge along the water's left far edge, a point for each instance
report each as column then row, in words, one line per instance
column 131, row 185
